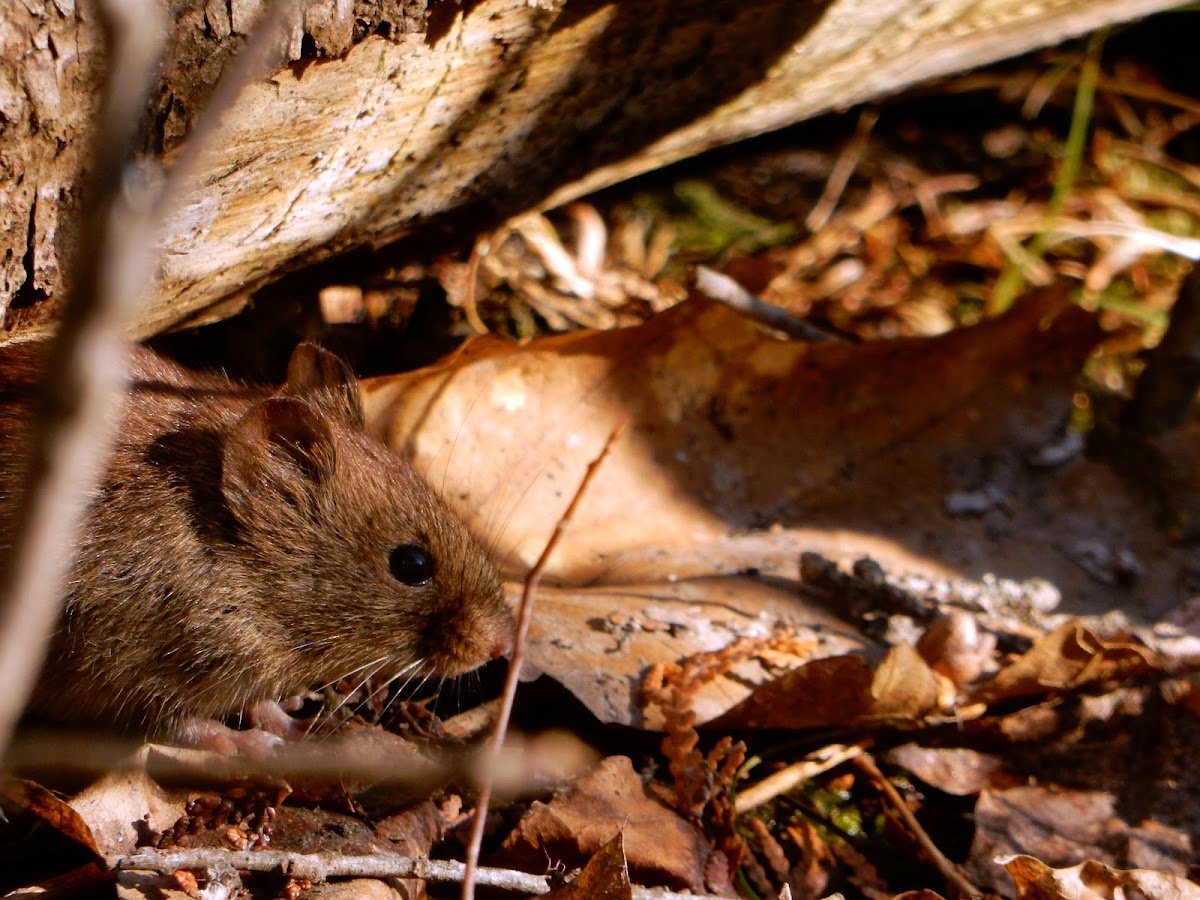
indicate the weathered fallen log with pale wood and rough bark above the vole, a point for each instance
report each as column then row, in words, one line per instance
column 397, row 123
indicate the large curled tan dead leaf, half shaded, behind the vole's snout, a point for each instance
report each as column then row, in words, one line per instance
column 731, row 430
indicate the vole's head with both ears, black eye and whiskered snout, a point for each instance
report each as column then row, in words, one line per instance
column 361, row 567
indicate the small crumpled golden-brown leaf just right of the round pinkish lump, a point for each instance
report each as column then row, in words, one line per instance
column 1066, row 659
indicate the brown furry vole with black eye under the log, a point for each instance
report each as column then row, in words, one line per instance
column 245, row 545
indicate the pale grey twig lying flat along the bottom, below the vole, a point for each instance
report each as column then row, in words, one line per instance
column 320, row 867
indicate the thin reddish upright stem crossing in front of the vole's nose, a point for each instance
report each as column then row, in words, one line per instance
column 519, row 652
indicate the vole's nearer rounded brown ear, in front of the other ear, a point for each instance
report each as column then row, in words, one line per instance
column 281, row 445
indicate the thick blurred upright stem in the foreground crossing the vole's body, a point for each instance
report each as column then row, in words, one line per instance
column 83, row 387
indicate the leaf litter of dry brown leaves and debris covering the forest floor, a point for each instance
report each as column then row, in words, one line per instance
column 890, row 548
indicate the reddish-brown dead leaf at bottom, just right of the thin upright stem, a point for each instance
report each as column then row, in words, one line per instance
column 663, row 849
